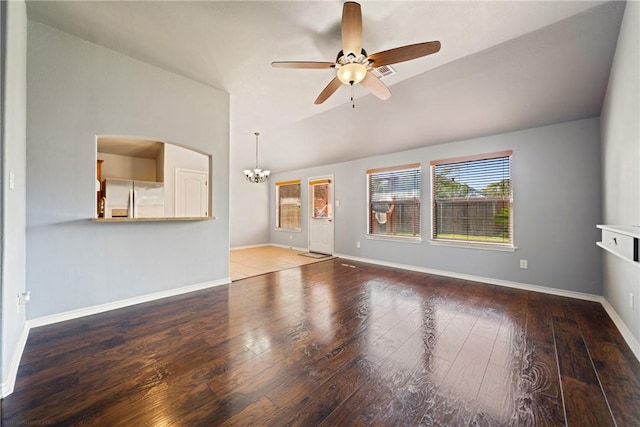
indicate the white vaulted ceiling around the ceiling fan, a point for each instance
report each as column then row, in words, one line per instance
column 503, row 66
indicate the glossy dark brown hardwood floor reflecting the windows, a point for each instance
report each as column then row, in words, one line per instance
column 333, row 343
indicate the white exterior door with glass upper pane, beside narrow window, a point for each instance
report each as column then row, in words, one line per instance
column 321, row 215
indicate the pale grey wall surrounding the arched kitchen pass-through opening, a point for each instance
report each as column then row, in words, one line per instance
column 77, row 90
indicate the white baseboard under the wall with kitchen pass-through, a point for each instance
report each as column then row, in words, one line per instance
column 96, row 309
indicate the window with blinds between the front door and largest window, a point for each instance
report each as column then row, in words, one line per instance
column 394, row 201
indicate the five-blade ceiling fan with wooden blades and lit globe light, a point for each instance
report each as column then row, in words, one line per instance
column 353, row 65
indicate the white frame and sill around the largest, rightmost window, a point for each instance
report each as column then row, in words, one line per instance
column 499, row 246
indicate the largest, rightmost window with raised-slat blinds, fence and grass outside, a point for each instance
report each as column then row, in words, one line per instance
column 473, row 199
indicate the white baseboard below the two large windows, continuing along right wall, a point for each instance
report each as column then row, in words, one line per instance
column 624, row 330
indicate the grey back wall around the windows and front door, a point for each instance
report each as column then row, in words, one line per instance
column 556, row 179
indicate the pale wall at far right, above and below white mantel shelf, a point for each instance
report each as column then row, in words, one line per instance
column 621, row 164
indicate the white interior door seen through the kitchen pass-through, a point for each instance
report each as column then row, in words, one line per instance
column 192, row 195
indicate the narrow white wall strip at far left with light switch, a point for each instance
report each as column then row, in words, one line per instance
column 13, row 202
